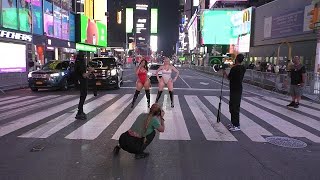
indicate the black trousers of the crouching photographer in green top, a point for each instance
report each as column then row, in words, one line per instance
column 134, row 145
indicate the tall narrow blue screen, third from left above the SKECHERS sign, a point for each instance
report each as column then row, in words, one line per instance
column 37, row 17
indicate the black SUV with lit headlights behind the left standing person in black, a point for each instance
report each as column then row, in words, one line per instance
column 108, row 72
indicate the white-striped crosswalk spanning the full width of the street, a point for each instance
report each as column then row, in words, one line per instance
column 260, row 117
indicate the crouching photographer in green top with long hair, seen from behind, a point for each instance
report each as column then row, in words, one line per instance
column 142, row 132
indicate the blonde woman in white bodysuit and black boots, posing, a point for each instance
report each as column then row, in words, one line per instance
column 166, row 79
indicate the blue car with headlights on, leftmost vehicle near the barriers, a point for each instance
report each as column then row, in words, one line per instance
column 55, row 74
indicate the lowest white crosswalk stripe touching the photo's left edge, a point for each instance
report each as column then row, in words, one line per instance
column 30, row 119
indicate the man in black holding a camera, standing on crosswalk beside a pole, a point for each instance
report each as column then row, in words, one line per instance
column 236, row 77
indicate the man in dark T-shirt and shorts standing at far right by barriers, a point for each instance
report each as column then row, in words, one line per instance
column 298, row 78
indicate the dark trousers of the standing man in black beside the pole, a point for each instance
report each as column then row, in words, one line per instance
column 234, row 107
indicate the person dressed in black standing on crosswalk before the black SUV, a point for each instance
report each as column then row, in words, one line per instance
column 82, row 74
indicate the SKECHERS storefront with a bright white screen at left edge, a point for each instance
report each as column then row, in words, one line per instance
column 16, row 53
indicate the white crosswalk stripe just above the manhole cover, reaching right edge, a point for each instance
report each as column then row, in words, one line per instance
column 280, row 124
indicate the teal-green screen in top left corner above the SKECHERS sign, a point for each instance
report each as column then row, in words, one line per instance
column 9, row 14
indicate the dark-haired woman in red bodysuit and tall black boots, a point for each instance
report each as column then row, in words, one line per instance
column 142, row 82
